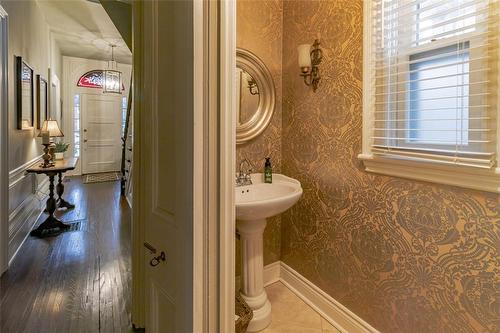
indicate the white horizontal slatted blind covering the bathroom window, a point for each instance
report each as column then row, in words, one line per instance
column 435, row 80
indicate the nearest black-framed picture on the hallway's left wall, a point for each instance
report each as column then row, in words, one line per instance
column 24, row 94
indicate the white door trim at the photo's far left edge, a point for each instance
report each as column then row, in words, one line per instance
column 4, row 135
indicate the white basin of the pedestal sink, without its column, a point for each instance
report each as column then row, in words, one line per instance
column 261, row 200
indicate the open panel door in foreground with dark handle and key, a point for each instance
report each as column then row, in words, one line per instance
column 164, row 141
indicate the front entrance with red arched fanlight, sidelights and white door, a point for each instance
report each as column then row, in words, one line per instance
column 94, row 122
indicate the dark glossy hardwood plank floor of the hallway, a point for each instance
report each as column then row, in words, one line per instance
column 78, row 281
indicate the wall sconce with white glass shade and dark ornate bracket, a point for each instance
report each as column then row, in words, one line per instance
column 309, row 59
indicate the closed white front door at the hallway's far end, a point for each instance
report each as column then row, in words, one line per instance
column 101, row 124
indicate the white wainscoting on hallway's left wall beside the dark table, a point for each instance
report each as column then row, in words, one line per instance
column 27, row 194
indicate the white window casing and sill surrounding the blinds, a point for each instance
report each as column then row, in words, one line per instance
column 449, row 174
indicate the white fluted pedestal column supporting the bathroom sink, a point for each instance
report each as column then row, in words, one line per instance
column 252, row 289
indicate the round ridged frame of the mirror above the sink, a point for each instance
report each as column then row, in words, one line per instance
column 252, row 64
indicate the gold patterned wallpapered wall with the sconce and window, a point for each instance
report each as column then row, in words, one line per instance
column 405, row 256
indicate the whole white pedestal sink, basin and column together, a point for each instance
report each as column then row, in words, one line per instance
column 255, row 203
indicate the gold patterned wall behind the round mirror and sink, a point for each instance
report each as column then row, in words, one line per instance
column 259, row 30
